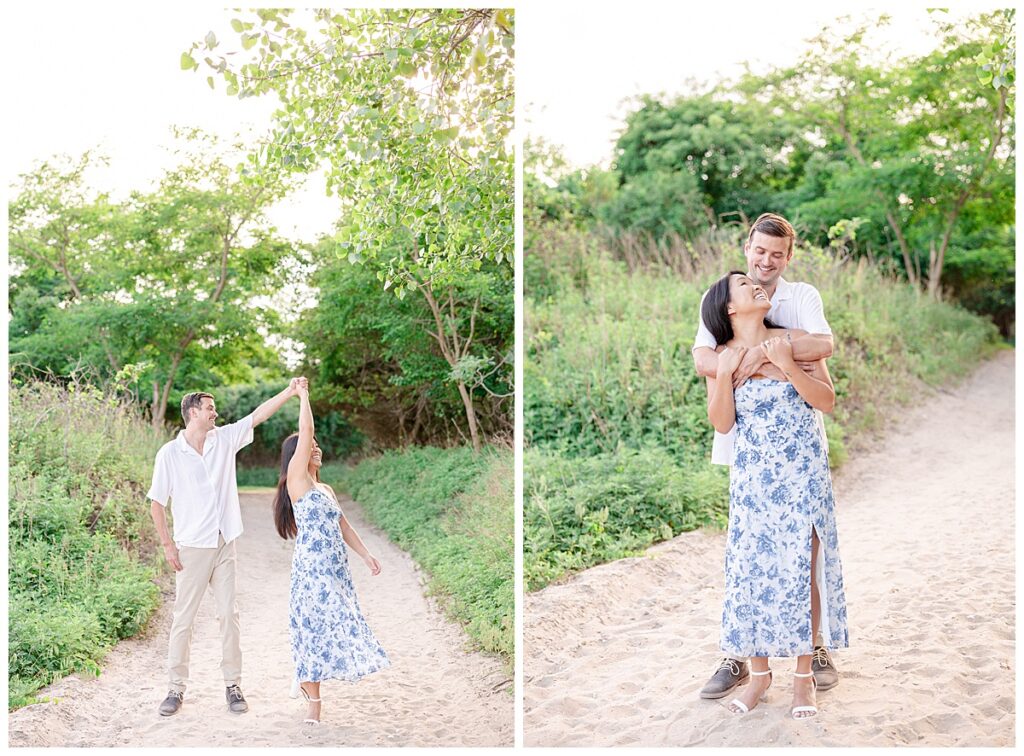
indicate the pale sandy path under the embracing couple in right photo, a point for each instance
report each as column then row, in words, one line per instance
column 618, row 655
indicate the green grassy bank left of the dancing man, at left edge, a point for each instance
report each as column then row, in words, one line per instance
column 81, row 548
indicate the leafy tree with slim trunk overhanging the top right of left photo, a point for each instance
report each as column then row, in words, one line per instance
column 412, row 111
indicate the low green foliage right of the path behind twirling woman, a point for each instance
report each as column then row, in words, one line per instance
column 452, row 511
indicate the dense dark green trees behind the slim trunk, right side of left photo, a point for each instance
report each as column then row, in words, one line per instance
column 373, row 357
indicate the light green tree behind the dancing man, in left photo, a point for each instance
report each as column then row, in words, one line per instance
column 160, row 290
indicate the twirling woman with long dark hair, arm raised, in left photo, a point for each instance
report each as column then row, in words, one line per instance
column 330, row 638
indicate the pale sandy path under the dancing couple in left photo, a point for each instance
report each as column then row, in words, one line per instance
column 436, row 694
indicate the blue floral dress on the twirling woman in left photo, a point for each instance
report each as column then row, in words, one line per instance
column 330, row 639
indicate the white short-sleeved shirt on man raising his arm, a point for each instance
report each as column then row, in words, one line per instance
column 203, row 491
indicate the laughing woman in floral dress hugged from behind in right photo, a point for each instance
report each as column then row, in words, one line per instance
column 784, row 578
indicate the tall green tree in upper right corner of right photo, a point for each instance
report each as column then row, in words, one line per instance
column 911, row 144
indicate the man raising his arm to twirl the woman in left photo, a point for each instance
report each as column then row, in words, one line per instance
column 197, row 473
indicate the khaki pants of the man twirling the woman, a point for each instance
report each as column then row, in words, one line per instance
column 202, row 568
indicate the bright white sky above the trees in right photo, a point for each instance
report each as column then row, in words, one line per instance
column 576, row 66
